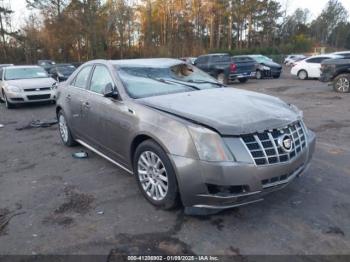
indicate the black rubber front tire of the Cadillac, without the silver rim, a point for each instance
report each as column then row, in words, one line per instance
column 171, row 198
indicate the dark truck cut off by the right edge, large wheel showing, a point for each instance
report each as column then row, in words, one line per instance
column 337, row 71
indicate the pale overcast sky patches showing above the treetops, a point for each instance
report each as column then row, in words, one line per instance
column 315, row 7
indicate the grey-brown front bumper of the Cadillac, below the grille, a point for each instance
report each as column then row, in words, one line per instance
column 212, row 185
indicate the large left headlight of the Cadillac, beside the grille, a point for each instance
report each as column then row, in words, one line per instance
column 209, row 145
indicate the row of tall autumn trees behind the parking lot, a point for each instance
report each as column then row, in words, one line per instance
column 80, row 30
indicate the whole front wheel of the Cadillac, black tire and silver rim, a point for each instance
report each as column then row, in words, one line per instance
column 155, row 175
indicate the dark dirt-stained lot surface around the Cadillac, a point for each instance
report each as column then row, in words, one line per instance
column 52, row 203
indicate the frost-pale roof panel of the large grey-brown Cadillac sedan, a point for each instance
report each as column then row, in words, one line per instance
column 147, row 62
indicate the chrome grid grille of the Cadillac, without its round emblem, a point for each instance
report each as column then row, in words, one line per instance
column 264, row 147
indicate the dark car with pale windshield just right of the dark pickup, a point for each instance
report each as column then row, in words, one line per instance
column 266, row 67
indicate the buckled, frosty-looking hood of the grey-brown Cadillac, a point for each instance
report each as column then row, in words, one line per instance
column 227, row 110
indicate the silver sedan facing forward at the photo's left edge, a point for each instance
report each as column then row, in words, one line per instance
column 25, row 84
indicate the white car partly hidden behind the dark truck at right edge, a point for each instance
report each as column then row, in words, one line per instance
column 310, row 67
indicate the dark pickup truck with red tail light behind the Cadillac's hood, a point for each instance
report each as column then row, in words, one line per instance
column 225, row 68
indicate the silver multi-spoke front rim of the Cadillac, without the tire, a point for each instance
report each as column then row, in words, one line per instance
column 152, row 175
